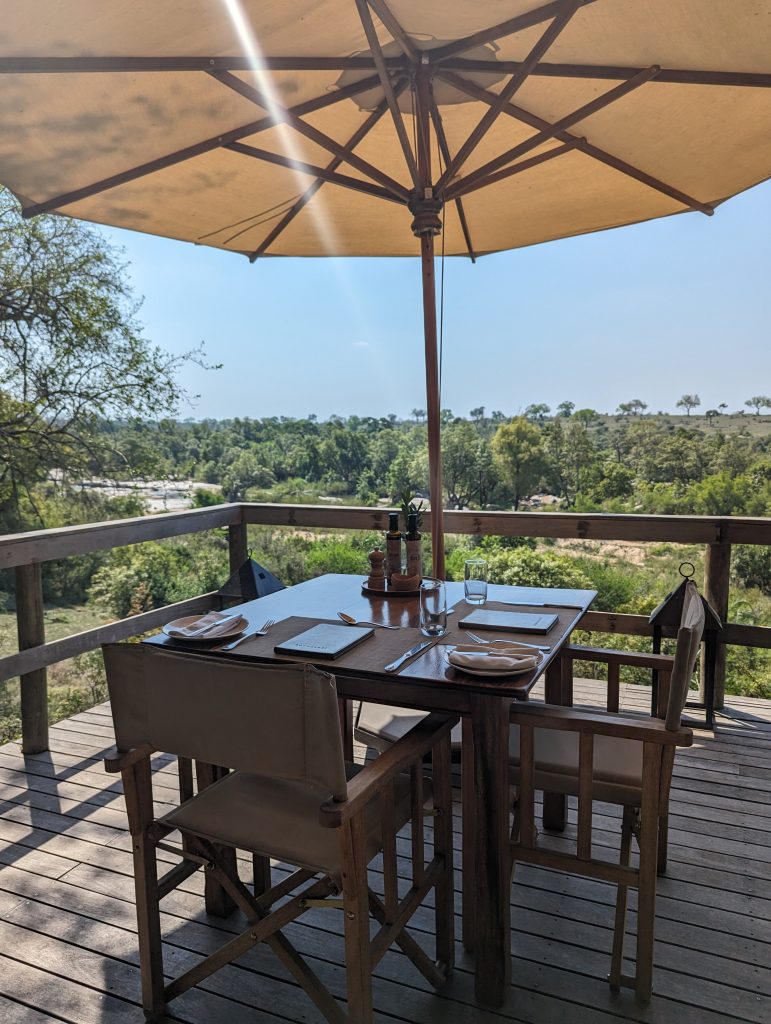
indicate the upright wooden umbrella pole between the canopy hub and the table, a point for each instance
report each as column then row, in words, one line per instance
column 433, row 404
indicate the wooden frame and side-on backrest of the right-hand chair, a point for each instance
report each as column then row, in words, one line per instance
column 645, row 813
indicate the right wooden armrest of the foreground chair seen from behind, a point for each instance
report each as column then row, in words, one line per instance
column 375, row 777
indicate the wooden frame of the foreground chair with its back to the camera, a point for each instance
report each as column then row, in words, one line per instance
column 225, row 890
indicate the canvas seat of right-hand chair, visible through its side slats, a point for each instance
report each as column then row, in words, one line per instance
column 618, row 765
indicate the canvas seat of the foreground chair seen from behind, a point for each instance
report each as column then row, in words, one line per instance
column 280, row 820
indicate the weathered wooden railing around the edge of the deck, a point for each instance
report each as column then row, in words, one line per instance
column 26, row 553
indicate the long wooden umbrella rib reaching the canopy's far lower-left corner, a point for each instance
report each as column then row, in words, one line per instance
column 197, row 150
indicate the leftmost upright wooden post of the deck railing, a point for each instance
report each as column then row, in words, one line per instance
column 34, row 686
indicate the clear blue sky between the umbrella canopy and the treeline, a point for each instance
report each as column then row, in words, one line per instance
column 649, row 312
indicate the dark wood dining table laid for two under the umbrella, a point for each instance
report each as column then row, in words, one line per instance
column 431, row 684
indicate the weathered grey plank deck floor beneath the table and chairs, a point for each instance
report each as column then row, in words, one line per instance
column 68, row 930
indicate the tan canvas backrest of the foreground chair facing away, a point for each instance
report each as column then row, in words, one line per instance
column 275, row 721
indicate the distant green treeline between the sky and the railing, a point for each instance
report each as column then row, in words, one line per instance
column 630, row 463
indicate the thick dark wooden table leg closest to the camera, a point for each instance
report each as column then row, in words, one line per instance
column 490, row 719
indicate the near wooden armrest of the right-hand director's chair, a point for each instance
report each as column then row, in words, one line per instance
column 646, row 731
